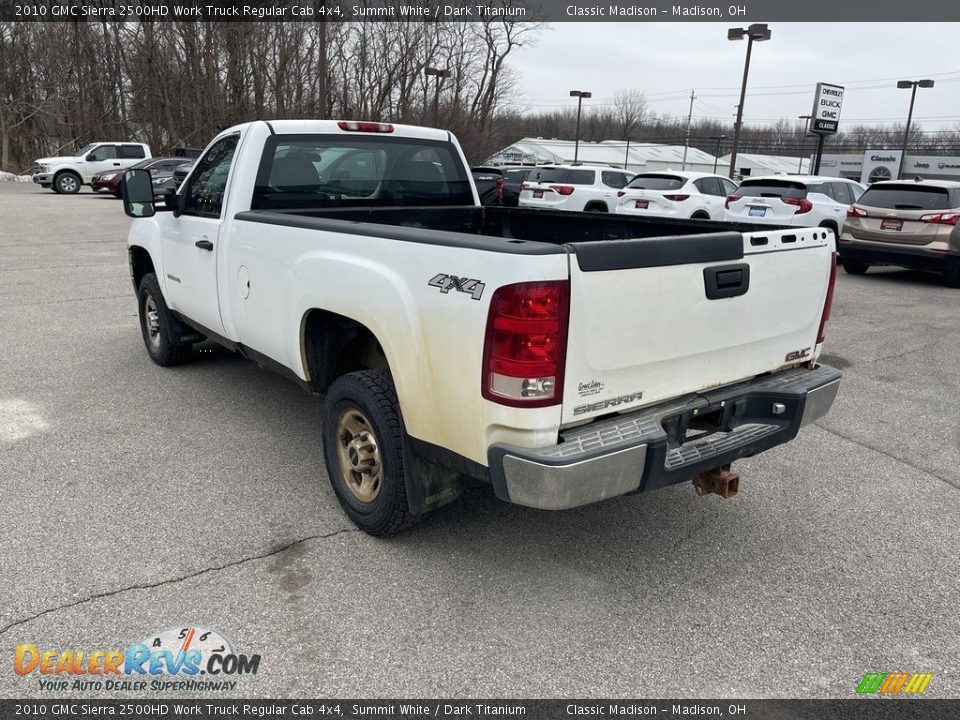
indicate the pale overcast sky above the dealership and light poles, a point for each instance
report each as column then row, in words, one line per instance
column 666, row 60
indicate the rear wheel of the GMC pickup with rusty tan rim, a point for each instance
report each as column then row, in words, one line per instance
column 369, row 395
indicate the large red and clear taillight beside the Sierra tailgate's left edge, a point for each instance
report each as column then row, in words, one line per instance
column 526, row 344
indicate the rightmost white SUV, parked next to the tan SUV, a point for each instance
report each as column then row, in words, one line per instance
column 794, row 200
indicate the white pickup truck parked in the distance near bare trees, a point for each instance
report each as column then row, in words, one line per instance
column 67, row 173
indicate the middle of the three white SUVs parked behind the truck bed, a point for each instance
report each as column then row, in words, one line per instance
column 676, row 194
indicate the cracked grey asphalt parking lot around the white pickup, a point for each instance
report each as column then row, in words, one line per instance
column 136, row 498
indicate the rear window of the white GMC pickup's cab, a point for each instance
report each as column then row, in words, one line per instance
column 301, row 171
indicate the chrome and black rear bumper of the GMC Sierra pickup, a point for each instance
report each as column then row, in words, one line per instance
column 640, row 451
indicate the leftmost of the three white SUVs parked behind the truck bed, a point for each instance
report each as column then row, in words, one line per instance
column 573, row 187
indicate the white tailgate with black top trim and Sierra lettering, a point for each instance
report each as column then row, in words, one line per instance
column 653, row 319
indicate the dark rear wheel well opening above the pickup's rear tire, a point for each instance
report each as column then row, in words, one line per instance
column 332, row 345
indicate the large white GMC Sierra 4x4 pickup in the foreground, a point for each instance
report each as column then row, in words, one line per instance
column 564, row 358
